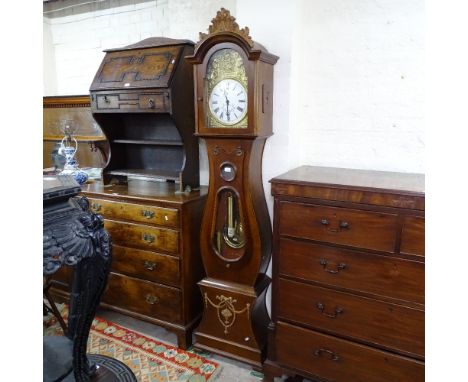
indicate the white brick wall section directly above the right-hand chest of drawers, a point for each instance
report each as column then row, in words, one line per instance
column 357, row 84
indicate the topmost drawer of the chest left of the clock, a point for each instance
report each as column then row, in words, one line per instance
column 136, row 212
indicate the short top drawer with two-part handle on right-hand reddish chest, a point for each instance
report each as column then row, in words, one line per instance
column 355, row 228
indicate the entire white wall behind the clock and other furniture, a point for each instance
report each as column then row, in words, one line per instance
column 348, row 86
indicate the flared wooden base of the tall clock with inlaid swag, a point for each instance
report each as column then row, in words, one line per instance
column 234, row 320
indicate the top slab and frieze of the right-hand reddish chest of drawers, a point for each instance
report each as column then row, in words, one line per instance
column 379, row 188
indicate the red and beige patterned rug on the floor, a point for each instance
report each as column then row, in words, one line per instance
column 149, row 359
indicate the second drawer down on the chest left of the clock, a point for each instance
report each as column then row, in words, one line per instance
column 143, row 236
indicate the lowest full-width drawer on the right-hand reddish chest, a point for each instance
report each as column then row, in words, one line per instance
column 333, row 359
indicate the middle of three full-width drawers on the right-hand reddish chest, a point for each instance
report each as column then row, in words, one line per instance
column 378, row 323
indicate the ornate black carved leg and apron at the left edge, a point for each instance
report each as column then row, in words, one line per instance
column 76, row 237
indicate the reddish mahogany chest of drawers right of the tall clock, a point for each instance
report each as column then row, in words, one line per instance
column 348, row 276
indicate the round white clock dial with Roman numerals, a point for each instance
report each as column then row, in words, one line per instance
column 228, row 101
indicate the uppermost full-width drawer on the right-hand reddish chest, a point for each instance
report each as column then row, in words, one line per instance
column 353, row 270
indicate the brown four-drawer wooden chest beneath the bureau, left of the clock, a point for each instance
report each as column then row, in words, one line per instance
column 156, row 261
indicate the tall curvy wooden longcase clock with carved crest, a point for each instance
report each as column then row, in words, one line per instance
column 233, row 97
